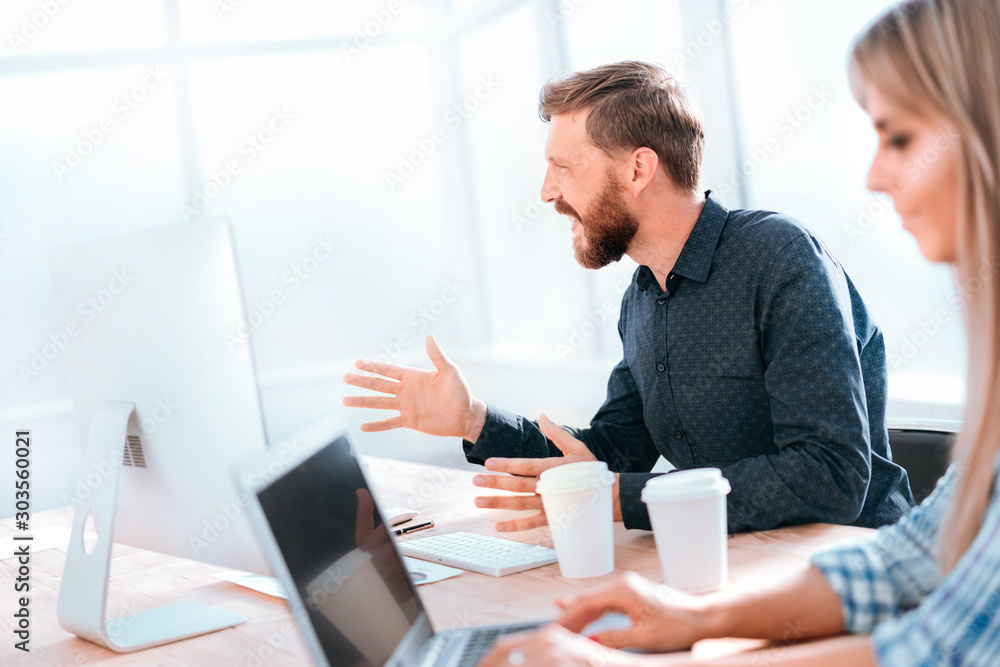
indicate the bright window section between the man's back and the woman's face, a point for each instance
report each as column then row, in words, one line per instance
column 806, row 149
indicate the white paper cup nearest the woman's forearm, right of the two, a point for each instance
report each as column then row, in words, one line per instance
column 688, row 512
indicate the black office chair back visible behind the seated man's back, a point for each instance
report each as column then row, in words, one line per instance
column 923, row 449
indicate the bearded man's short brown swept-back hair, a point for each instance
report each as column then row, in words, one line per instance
column 633, row 105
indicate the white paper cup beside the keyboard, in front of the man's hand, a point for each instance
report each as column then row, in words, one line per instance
column 577, row 501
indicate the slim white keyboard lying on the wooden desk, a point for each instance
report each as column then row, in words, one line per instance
column 478, row 553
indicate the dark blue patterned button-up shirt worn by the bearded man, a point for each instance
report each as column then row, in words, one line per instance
column 761, row 359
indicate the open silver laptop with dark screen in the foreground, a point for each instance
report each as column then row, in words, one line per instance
column 330, row 546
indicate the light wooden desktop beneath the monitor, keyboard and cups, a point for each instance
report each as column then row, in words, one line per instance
column 142, row 580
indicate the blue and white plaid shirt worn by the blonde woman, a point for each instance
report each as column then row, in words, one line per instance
column 891, row 586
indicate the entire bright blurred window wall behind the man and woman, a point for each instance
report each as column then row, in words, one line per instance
column 406, row 132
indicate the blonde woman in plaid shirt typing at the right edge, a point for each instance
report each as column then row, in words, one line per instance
column 925, row 591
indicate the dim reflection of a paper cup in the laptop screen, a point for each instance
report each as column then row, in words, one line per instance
column 353, row 595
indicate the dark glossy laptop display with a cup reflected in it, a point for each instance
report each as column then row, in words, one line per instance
column 341, row 557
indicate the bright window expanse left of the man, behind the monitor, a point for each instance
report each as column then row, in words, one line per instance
column 405, row 132
